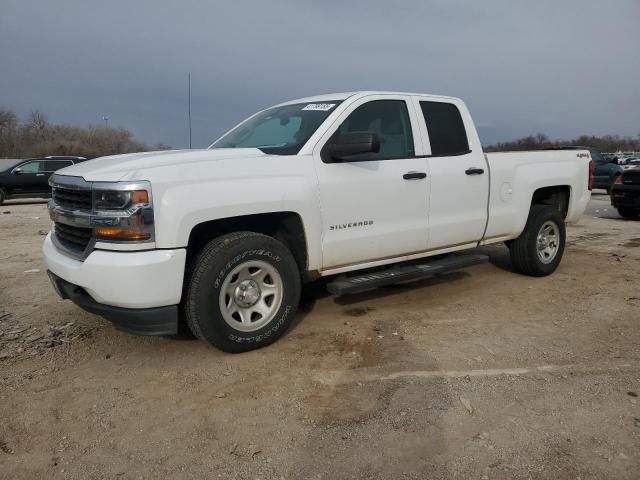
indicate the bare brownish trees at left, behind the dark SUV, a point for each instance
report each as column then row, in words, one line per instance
column 35, row 136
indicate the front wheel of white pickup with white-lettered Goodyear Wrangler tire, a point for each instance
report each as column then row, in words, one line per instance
column 242, row 292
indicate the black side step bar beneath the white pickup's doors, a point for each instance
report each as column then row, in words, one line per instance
column 403, row 273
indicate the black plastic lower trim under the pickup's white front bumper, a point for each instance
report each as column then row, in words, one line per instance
column 137, row 321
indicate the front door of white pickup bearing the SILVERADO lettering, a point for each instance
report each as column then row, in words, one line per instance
column 374, row 205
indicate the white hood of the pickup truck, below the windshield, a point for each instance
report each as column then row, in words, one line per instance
column 141, row 166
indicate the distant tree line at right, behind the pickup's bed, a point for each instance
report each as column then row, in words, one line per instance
column 606, row 143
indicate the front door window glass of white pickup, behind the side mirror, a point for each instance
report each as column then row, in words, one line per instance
column 389, row 119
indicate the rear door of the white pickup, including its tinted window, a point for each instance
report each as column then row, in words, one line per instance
column 459, row 191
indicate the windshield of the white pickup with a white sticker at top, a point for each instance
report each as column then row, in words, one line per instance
column 279, row 130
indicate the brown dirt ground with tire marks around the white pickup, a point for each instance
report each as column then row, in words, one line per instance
column 480, row 374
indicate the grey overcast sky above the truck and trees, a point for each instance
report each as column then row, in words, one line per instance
column 561, row 68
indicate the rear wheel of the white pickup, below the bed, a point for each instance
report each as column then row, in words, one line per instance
column 526, row 256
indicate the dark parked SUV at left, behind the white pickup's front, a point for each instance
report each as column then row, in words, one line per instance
column 30, row 178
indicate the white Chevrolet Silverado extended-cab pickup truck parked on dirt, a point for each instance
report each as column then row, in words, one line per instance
column 357, row 186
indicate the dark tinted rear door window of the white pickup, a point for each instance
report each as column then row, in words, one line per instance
column 446, row 129
